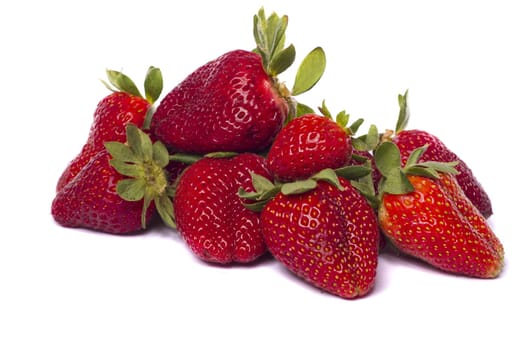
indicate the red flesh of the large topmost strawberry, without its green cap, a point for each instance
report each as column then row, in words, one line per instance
column 228, row 104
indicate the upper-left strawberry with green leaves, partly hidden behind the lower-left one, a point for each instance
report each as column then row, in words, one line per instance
column 123, row 106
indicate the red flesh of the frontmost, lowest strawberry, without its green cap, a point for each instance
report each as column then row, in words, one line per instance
column 326, row 236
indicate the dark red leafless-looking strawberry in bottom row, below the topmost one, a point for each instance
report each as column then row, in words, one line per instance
column 209, row 214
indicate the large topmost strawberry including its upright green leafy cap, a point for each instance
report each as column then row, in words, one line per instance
column 235, row 102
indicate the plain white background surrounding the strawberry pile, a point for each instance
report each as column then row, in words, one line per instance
column 74, row 289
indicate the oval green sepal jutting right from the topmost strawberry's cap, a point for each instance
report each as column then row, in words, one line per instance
column 310, row 71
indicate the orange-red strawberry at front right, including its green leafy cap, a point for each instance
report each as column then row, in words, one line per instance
column 425, row 214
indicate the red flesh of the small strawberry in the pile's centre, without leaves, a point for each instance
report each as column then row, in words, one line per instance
column 307, row 145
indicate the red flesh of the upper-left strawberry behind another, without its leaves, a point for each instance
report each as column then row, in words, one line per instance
column 111, row 116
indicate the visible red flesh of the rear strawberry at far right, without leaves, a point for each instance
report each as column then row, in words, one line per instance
column 408, row 140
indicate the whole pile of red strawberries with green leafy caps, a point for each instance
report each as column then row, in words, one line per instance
column 240, row 168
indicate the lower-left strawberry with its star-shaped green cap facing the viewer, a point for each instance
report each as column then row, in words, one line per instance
column 114, row 192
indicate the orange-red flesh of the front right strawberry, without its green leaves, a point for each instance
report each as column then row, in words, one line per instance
column 428, row 224
